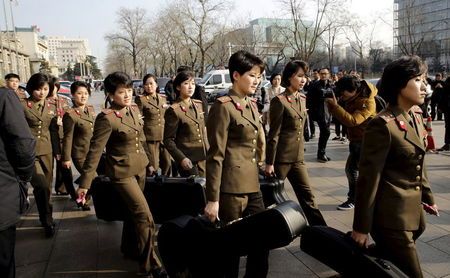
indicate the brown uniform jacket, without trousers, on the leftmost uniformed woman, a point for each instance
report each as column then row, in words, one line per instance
column 43, row 126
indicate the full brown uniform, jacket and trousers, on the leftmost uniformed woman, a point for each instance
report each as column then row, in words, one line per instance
column 42, row 121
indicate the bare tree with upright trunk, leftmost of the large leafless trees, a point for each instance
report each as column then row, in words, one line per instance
column 131, row 34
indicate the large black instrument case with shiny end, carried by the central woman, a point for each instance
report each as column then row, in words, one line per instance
column 193, row 246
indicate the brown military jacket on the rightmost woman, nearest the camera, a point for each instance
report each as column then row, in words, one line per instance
column 392, row 180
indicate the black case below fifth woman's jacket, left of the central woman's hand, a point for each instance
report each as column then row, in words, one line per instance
column 169, row 198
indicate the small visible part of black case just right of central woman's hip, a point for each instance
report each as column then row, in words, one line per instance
column 272, row 190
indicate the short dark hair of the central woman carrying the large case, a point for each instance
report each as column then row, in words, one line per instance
column 243, row 61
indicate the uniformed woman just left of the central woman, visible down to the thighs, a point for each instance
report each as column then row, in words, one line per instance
column 184, row 130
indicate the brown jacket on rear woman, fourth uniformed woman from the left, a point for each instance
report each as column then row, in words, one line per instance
column 152, row 109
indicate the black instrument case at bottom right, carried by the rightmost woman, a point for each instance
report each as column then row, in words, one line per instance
column 338, row 250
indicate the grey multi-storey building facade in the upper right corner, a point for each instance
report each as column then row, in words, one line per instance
column 422, row 27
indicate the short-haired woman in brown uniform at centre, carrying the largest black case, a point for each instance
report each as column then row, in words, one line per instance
column 237, row 145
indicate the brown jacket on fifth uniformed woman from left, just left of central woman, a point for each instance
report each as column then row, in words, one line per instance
column 184, row 131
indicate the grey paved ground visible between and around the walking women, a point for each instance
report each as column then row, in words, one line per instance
column 86, row 247
